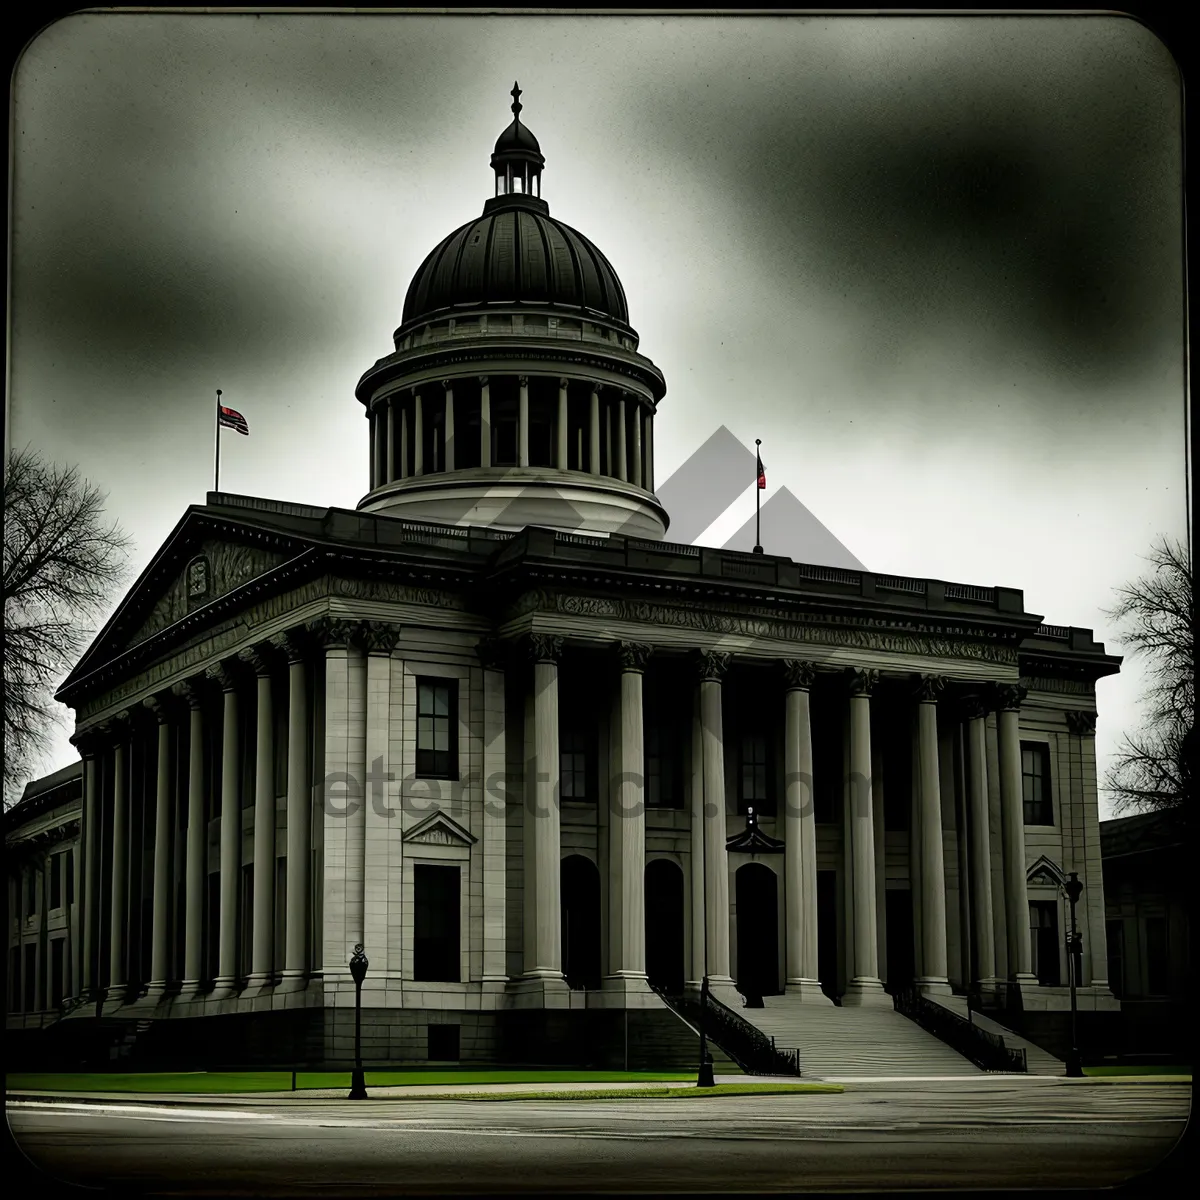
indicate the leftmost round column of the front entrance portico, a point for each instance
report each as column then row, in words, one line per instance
column 543, row 934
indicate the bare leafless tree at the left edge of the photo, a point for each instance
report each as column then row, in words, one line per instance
column 62, row 565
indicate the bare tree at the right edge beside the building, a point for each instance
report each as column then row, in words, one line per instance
column 1157, row 616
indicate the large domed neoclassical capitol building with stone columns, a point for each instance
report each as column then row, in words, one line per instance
column 547, row 767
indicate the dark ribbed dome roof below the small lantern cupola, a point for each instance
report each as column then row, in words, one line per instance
column 515, row 254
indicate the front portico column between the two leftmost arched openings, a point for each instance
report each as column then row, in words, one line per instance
column 627, row 829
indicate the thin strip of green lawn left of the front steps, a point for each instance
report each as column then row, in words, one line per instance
column 281, row 1081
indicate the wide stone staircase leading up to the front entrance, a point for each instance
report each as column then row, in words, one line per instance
column 855, row 1043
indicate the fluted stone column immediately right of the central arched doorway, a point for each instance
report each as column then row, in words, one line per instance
column 800, row 837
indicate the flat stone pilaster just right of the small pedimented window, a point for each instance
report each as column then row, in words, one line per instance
column 494, row 659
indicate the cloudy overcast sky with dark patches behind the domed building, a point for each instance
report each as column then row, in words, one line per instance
column 934, row 263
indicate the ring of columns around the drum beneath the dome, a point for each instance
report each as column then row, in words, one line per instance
column 595, row 430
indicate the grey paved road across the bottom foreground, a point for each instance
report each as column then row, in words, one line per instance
column 969, row 1133
